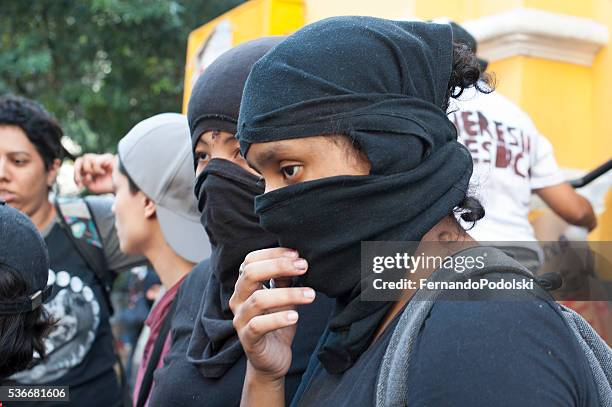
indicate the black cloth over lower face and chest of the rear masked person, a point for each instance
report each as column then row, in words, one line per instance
column 225, row 195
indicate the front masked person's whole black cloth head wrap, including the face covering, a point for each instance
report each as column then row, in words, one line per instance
column 382, row 83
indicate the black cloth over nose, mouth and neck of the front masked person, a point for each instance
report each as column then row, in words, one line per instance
column 325, row 221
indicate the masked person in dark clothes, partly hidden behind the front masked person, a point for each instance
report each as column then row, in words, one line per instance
column 206, row 364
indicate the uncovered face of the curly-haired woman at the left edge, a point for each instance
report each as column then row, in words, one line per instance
column 27, row 182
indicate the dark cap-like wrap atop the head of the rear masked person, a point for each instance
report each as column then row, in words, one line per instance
column 215, row 98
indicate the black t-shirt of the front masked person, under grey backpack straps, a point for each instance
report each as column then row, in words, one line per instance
column 472, row 353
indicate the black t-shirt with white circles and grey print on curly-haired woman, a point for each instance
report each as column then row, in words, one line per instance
column 80, row 352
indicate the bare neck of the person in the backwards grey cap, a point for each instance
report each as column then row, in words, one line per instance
column 169, row 266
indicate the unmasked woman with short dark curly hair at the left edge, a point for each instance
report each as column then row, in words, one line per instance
column 84, row 257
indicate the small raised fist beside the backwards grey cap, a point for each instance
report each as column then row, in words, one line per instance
column 94, row 172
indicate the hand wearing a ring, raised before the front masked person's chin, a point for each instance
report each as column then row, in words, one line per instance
column 265, row 319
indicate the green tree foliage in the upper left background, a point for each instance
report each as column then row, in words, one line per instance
column 102, row 65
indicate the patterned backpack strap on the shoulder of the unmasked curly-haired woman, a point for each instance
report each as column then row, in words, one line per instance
column 75, row 214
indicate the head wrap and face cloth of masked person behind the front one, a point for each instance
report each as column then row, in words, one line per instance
column 225, row 195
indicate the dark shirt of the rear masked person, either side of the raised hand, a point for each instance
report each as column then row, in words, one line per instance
column 179, row 382
